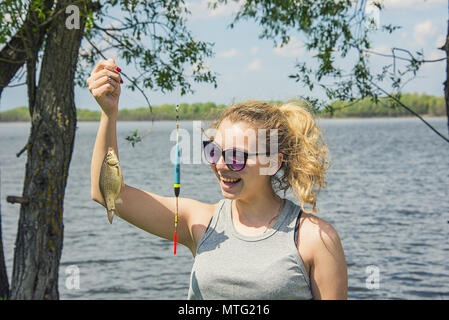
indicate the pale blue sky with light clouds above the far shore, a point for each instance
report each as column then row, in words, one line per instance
column 252, row 68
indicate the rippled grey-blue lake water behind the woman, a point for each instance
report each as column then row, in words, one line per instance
column 387, row 196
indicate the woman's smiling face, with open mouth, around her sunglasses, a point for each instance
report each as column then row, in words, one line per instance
column 251, row 180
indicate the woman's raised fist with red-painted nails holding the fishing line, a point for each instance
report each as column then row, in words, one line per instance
column 104, row 84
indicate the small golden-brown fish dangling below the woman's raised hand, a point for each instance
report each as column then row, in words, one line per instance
column 111, row 181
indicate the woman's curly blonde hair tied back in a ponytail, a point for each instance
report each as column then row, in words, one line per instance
column 305, row 155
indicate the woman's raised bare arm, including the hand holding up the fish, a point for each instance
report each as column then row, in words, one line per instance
column 148, row 211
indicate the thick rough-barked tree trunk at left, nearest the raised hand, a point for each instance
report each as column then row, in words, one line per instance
column 40, row 232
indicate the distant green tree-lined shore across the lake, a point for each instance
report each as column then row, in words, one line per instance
column 424, row 105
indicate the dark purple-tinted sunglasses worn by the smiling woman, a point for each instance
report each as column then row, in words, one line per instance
column 235, row 159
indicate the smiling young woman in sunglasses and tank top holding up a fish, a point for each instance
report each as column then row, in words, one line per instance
column 252, row 244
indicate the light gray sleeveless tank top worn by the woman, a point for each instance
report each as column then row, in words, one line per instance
column 229, row 265
